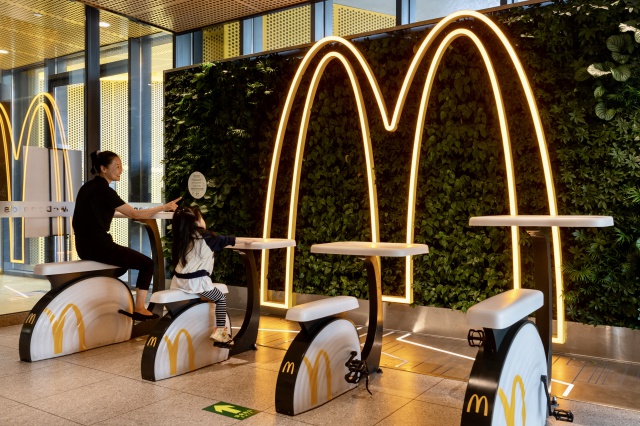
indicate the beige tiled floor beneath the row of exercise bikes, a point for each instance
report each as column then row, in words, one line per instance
column 420, row 385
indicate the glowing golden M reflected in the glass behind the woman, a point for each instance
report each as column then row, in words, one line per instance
column 54, row 121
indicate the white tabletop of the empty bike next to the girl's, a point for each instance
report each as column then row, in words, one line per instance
column 364, row 248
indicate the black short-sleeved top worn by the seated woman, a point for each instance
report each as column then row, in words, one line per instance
column 95, row 206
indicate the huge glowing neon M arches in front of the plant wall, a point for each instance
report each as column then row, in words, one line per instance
column 391, row 124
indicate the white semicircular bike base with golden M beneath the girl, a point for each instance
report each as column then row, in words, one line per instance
column 179, row 343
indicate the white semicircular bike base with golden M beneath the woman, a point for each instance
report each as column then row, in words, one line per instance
column 75, row 316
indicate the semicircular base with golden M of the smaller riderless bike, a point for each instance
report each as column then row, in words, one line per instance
column 313, row 369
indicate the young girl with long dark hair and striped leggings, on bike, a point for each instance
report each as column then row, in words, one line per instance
column 192, row 258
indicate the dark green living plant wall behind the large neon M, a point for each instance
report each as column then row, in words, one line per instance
column 221, row 119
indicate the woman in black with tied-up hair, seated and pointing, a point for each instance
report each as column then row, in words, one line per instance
column 96, row 204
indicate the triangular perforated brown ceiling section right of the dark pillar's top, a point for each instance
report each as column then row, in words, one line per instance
column 184, row 15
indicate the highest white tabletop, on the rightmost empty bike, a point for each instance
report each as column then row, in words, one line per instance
column 543, row 220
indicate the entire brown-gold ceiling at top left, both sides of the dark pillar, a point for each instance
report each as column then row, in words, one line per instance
column 35, row 30
